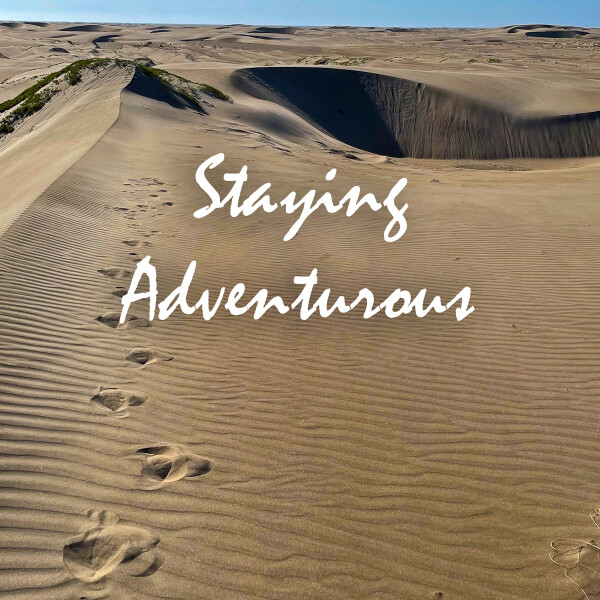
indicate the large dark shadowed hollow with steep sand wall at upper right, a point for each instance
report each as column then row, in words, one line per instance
column 401, row 118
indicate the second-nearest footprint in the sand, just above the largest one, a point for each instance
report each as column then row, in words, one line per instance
column 166, row 463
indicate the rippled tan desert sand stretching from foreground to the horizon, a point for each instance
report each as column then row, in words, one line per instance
column 329, row 458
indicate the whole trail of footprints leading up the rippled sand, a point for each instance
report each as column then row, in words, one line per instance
column 106, row 544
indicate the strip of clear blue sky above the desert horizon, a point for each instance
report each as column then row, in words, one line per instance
column 403, row 13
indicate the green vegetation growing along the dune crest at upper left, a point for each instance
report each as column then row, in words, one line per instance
column 36, row 96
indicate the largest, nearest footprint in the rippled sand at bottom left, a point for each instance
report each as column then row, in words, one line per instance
column 106, row 545
